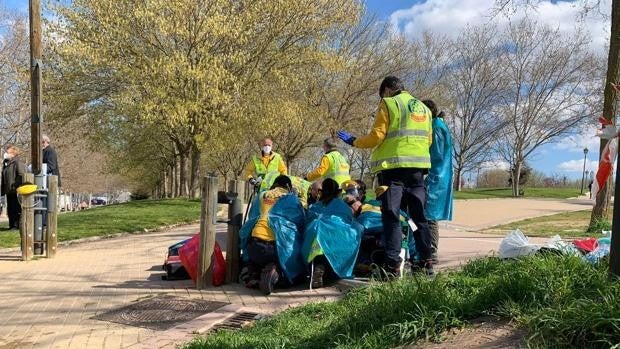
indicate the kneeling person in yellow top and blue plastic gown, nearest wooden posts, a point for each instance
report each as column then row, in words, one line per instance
column 271, row 238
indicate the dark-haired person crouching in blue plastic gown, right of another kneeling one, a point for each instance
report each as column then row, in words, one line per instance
column 332, row 237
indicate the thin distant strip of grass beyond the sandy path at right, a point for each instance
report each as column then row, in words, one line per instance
column 488, row 193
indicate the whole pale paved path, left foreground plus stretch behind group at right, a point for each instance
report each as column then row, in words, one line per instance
column 50, row 303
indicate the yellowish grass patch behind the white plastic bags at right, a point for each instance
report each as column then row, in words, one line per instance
column 567, row 224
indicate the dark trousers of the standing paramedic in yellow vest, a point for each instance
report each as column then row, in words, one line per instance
column 405, row 192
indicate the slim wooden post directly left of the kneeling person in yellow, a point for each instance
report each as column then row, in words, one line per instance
column 235, row 219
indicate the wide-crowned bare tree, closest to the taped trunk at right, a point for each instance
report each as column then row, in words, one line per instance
column 550, row 81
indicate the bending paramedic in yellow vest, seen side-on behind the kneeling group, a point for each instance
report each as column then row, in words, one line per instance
column 333, row 165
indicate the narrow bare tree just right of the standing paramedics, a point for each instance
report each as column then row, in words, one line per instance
column 476, row 84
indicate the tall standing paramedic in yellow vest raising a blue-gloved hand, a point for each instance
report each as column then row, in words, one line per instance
column 401, row 137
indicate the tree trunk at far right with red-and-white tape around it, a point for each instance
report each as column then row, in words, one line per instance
column 601, row 207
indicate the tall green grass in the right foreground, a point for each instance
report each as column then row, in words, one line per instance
column 563, row 302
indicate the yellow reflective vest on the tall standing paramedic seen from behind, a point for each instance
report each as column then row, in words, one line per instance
column 407, row 142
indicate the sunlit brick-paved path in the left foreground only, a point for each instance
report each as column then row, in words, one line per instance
column 50, row 303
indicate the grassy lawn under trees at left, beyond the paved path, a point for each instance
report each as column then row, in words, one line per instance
column 129, row 217
